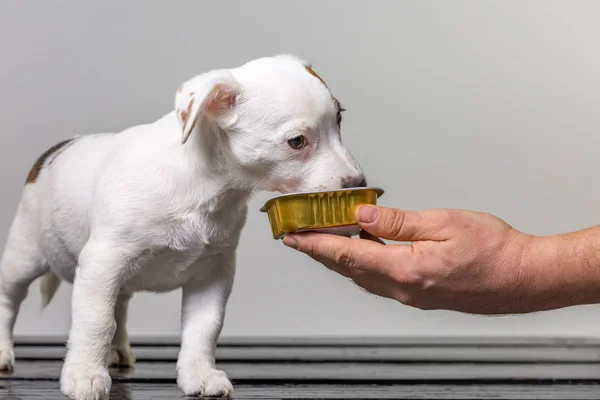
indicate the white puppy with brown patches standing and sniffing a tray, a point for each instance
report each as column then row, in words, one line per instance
column 160, row 206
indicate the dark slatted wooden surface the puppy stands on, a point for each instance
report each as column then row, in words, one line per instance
column 467, row 368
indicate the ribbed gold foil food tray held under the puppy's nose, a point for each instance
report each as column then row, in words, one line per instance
column 330, row 211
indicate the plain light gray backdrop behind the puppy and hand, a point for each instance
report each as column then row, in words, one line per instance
column 482, row 105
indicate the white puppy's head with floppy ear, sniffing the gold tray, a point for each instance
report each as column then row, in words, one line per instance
column 273, row 122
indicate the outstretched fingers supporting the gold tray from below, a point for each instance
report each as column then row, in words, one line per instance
column 345, row 252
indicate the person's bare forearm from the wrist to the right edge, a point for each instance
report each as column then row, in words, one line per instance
column 567, row 268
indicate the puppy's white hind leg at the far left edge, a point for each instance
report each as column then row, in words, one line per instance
column 22, row 263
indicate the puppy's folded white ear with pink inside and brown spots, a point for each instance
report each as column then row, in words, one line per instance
column 213, row 94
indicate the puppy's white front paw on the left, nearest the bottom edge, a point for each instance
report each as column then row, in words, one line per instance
column 79, row 383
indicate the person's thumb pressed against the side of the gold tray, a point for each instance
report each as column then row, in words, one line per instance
column 400, row 225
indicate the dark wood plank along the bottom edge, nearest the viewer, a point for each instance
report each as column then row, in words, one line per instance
column 17, row 390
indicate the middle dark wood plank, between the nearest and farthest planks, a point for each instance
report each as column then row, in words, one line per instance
column 341, row 372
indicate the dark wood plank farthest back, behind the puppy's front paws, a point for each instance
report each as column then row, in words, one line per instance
column 416, row 353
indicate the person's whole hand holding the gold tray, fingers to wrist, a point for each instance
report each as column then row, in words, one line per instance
column 458, row 260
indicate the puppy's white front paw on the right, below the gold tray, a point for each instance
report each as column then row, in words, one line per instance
column 204, row 382
